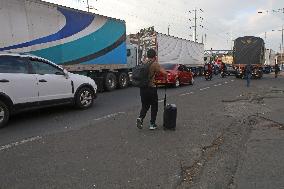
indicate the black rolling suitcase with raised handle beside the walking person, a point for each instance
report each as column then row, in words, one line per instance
column 170, row 114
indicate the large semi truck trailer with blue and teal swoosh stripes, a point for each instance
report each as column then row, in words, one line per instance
column 79, row 41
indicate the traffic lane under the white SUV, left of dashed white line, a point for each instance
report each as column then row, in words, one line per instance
column 64, row 118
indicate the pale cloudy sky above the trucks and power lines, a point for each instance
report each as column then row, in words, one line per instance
column 222, row 20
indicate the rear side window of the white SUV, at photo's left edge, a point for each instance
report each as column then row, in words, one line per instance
column 12, row 64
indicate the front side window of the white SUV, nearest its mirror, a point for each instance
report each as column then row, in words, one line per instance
column 41, row 67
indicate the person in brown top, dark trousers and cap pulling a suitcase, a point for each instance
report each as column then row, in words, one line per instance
column 149, row 95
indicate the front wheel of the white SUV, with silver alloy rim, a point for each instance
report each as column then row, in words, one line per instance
column 84, row 98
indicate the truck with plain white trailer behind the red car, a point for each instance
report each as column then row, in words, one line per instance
column 169, row 49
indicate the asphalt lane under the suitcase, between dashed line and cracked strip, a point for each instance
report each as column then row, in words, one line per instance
column 114, row 153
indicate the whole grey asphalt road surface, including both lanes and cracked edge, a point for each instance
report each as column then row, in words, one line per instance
column 224, row 130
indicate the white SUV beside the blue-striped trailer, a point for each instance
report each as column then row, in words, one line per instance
column 28, row 82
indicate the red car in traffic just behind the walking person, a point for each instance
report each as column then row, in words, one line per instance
column 178, row 74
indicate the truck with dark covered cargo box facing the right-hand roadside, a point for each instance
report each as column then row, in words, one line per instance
column 249, row 50
